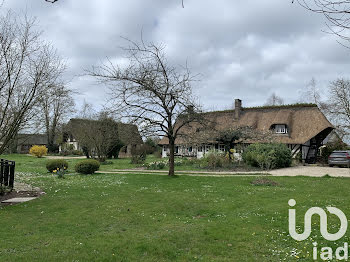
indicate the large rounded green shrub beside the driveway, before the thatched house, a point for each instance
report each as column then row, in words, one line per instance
column 267, row 156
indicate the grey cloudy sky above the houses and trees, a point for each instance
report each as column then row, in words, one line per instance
column 243, row 49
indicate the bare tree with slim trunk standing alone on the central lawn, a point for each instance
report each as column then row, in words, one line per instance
column 151, row 92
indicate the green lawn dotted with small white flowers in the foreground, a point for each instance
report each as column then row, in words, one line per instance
column 109, row 217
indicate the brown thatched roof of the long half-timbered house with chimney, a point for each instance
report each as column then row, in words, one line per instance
column 304, row 121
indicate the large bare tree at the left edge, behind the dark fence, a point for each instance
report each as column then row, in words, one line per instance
column 26, row 70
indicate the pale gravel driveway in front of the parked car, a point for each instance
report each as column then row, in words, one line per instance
column 316, row 171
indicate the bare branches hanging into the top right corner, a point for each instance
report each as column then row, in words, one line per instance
column 335, row 12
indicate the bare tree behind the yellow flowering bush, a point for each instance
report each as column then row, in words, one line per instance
column 56, row 104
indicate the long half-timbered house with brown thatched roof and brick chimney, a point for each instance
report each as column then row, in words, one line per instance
column 302, row 127
